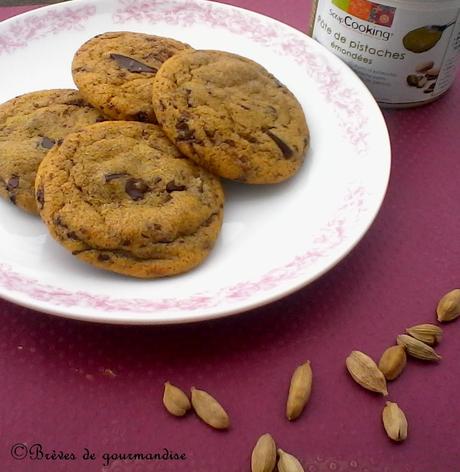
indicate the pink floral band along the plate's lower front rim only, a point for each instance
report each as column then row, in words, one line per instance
column 330, row 238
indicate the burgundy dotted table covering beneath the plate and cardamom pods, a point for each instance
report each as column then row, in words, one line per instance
column 70, row 385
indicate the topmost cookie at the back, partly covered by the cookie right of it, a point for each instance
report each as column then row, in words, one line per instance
column 114, row 72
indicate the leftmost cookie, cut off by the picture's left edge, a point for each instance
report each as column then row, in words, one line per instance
column 30, row 125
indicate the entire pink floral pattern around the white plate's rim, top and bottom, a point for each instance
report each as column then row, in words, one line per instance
column 282, row 39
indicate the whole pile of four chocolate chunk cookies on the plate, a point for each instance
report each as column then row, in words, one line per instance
column 125, row 172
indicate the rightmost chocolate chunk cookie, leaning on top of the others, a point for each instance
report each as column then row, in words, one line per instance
column 231, row 116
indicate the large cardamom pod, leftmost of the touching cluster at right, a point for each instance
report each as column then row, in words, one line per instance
column 365, row 372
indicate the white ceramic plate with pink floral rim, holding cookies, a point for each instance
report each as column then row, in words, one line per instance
column 275, row 239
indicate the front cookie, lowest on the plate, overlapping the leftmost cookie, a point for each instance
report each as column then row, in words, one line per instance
column 120, row 196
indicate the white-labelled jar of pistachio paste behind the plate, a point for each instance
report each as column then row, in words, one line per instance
column 405, row 51
